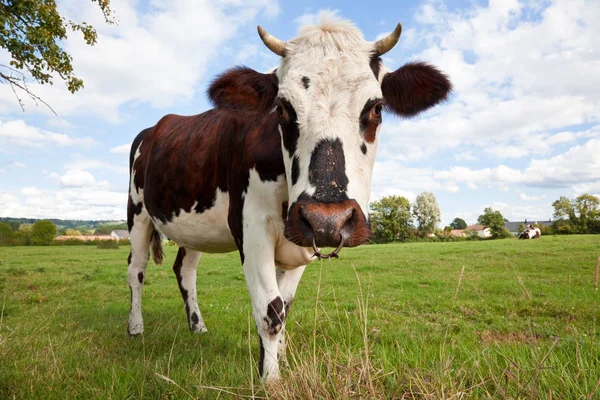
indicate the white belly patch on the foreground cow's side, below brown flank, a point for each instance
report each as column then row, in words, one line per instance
column 206, row 232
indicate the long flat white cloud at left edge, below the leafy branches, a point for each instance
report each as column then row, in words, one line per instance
column 18, row 132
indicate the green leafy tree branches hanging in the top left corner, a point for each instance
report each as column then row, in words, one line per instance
column 33, row 32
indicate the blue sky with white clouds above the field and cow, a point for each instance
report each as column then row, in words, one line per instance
column 521, row 129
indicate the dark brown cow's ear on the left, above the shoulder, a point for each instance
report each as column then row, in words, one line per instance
column 242, row 87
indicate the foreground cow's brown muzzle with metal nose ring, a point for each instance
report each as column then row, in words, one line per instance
column 316, row 224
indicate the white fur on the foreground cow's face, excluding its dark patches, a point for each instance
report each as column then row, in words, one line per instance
column 336, row 59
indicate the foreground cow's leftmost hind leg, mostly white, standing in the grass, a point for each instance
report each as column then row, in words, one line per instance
column 141, row 232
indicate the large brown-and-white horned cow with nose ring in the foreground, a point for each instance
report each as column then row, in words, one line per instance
column 278, row 169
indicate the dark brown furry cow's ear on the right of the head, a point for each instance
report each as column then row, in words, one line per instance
column 413, row 88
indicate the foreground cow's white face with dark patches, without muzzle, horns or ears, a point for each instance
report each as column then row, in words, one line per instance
column 330, row 104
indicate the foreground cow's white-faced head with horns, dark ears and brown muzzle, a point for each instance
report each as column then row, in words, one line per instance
column 331, row 89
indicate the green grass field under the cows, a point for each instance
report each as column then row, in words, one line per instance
column 383, row 321
